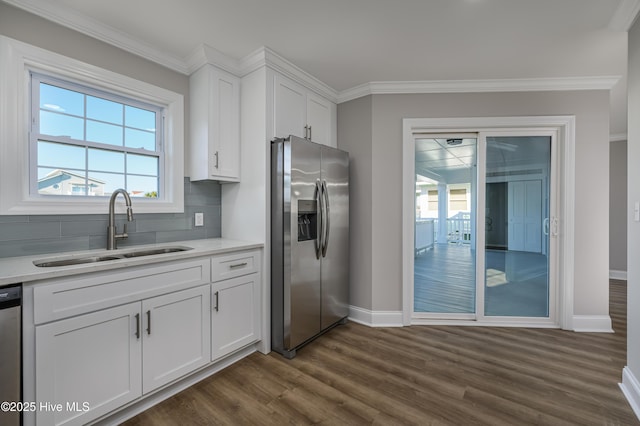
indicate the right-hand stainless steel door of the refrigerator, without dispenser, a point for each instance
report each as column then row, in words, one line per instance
column 335, row 260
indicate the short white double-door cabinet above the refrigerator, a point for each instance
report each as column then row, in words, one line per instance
column 300, row 112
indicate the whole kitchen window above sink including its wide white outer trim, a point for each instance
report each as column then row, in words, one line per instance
column 71, row 133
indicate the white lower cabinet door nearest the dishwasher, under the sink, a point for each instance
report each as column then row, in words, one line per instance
column 91, row 361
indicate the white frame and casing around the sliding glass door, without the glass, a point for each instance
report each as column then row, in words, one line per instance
column 564, row 129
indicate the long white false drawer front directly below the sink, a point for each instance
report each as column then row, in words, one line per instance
column 65, row 297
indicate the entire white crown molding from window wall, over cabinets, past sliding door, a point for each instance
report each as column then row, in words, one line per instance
column 264, row 56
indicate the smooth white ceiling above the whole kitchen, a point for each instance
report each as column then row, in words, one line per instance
column 345, row 43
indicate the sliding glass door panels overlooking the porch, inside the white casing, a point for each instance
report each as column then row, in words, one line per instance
column 484, row 227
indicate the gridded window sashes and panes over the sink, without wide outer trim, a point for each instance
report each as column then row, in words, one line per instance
column 86, row 142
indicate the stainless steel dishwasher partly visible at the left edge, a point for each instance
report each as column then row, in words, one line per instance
column 11, row 354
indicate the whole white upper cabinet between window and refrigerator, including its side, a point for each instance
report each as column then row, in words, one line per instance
column 214, row 140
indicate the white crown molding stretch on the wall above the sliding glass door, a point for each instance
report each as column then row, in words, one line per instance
column 478, row 86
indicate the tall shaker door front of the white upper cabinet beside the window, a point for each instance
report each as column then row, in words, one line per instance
column 225, row 131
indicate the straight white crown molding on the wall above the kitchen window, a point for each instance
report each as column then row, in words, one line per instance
column 81, row 23
